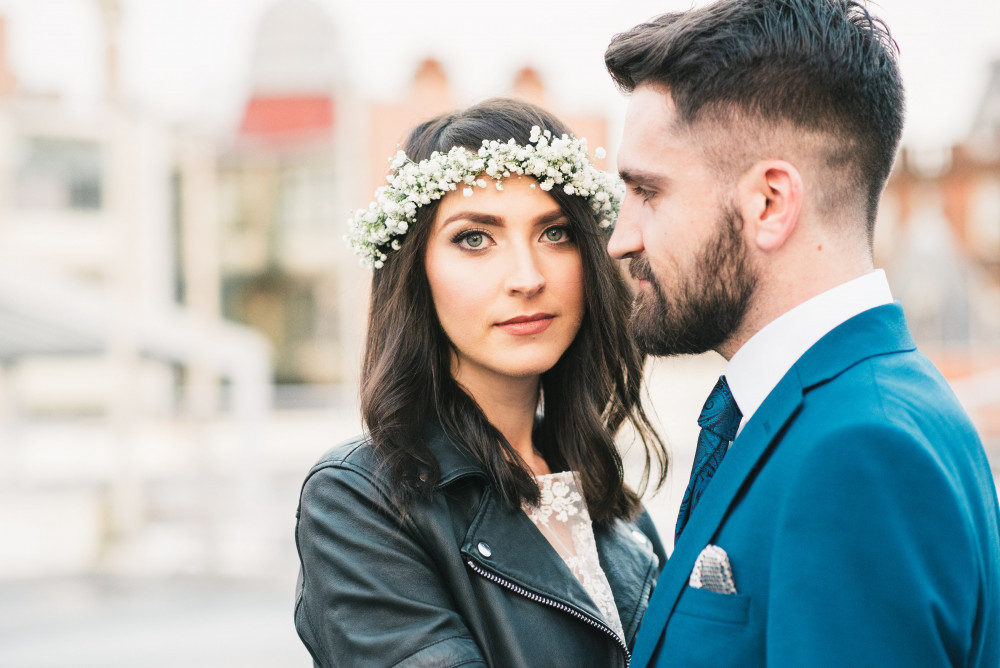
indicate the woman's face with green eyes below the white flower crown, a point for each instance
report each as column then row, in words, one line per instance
column 506, row 277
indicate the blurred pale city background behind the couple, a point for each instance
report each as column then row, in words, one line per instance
column 180, row 322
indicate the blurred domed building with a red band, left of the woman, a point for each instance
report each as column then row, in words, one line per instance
column 284, row 181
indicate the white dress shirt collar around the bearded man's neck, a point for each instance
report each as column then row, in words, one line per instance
column 767, row 356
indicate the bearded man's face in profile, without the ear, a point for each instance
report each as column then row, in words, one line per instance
column 679, row 226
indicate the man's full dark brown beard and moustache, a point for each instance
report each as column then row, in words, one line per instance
column 706, row 306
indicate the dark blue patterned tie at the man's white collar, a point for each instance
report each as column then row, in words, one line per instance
column 719, row 420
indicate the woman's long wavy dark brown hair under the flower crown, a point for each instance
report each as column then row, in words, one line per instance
column 591, row 391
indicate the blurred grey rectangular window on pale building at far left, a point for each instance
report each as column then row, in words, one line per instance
column 58, row 174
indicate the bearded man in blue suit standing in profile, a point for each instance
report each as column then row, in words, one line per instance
column 852, row 519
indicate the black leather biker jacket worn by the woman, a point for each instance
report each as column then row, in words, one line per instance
column 463, row 581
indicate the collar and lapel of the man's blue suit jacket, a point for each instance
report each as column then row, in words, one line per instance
column 878, row 331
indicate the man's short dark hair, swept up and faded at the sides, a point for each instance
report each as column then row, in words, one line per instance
column 822, row 66
